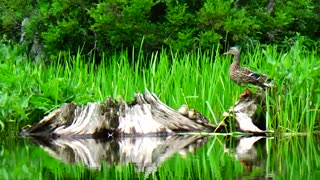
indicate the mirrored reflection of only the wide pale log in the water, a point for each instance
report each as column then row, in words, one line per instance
column 146, row 153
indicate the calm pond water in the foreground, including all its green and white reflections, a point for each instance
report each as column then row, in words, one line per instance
column 172, row 157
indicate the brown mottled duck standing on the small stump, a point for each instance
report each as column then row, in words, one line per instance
column 241, row 75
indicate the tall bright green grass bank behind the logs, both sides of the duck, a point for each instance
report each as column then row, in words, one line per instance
column 201, row 80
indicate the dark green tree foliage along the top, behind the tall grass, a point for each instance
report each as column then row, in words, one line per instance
column 104, row 26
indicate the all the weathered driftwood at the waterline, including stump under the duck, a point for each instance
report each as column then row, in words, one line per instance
column 145, row 116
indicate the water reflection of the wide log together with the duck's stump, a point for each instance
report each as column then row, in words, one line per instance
column 148, row 153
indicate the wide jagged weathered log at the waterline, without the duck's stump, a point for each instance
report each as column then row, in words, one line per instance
column 146, row 115
